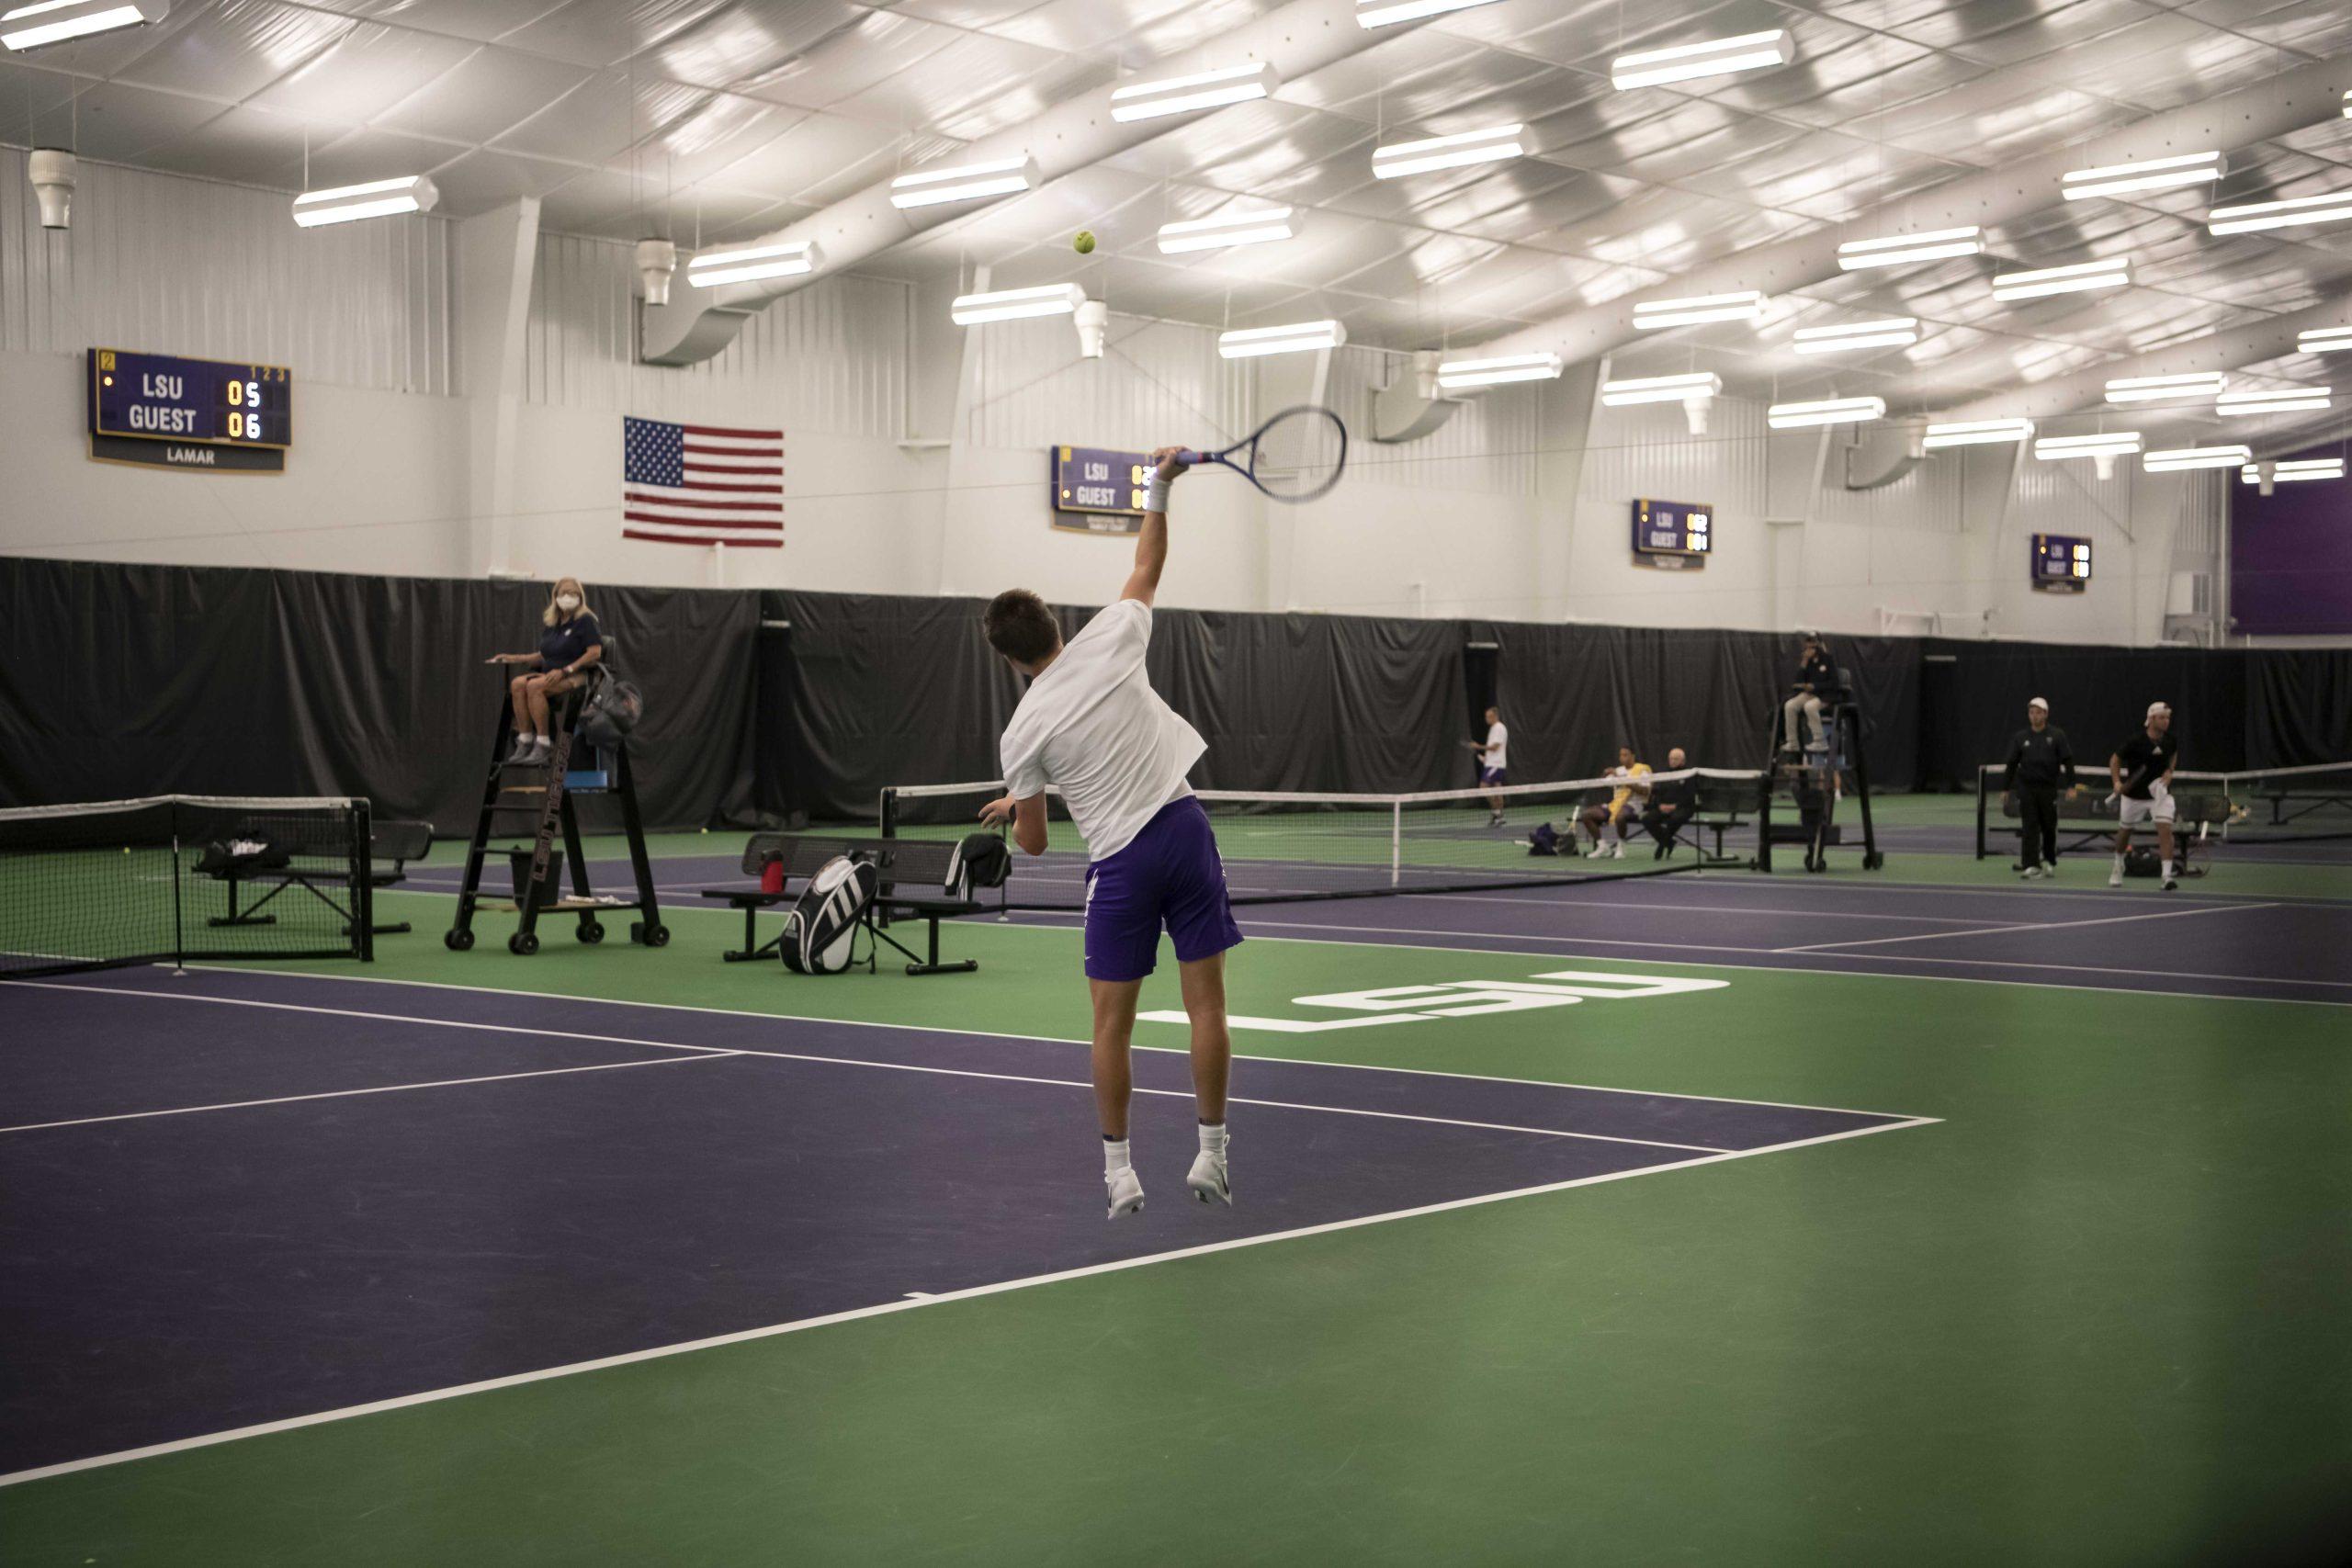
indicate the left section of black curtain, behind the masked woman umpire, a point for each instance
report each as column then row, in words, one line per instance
column 147, row 681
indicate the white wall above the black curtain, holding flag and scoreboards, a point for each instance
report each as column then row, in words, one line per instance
column 916, row 453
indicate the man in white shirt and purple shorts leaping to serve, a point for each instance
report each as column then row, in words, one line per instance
column 1095, row 728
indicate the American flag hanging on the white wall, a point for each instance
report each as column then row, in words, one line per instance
column 702, row 485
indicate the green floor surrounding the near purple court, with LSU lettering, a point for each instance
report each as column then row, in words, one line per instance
column 2092, row 1315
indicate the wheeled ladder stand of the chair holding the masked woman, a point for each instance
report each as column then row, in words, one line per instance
column 547, row 808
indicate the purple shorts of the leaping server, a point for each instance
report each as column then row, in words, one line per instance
column 1168, row 873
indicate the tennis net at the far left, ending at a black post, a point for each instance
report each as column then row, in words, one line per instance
column 182, row 878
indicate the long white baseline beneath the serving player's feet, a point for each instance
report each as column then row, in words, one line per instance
column 918, row 1304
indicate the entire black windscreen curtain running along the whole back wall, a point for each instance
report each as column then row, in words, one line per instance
column 142, row 681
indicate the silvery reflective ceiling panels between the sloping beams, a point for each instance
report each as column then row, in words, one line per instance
column 728, row 119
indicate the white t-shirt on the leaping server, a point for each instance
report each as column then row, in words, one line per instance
column 1095, row 728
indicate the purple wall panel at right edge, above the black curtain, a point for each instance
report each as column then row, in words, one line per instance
column 2292, row 556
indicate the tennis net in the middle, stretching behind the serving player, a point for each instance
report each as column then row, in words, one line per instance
column 1292, row 847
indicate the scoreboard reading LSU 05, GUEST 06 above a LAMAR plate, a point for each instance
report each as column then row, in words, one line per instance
column 173, row 413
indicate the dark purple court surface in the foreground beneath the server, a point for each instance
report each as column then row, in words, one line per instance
column 227, row 1181
